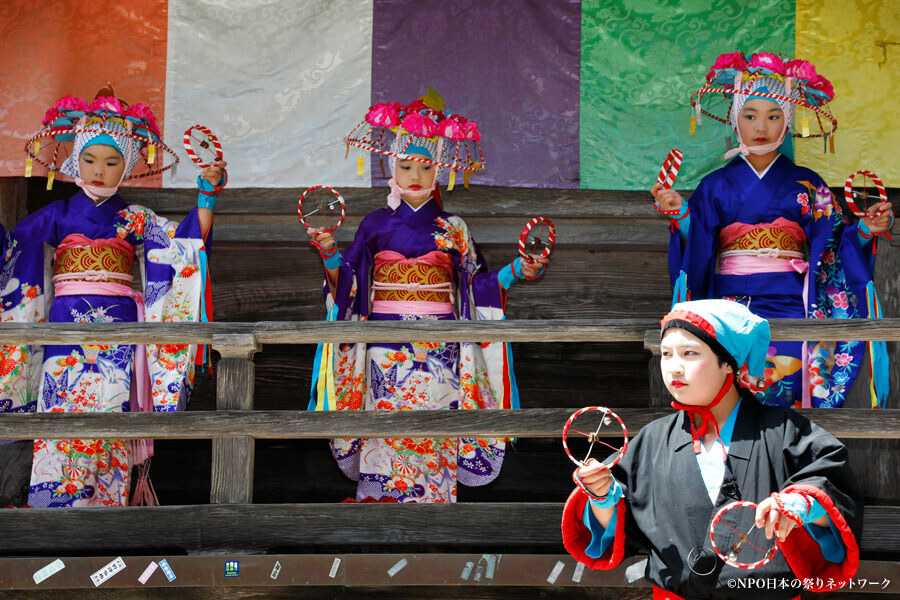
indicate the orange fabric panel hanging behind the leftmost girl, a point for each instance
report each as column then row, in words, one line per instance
column 50, row 49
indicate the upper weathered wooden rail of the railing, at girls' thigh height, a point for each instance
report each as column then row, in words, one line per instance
column 311, row 332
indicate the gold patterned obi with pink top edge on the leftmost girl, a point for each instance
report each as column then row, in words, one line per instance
column 104, row 261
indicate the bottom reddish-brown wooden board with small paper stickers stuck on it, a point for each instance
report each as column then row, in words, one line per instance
column 433, row 569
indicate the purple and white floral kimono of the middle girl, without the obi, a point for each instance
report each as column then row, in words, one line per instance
column 415, row 375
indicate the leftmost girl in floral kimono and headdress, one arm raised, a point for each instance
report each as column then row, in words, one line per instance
column 71, row 262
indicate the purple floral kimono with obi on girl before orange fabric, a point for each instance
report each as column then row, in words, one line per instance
column 97, row 377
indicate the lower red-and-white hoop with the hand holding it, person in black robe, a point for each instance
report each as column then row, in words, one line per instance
column 738, row 541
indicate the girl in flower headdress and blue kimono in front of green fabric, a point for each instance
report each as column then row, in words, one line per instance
column 769, row 234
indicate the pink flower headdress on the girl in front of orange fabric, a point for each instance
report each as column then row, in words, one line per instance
column 73, row 121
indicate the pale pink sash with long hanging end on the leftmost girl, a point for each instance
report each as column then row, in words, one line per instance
column 141, row 394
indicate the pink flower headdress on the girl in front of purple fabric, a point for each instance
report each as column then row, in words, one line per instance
column 390, row 128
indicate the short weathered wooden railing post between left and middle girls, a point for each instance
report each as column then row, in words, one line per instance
column 232, row 457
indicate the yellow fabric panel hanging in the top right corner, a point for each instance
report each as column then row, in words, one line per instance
column 855, row 44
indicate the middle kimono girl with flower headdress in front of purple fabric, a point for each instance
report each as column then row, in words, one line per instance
column 414, row 261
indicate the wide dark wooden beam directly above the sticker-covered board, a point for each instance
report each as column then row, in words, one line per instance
column 253, row 528
